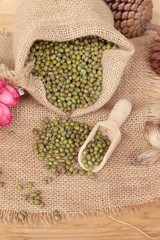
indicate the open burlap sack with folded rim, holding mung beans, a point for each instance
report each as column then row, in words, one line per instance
column 67, row 20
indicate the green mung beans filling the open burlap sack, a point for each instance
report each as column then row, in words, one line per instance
column 71, row 71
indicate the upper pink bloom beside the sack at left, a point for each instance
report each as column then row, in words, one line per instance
column 8, row 94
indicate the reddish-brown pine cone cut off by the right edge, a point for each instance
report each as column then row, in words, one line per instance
column 155, row 55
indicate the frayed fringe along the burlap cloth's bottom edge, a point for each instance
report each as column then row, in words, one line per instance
column 38, row 219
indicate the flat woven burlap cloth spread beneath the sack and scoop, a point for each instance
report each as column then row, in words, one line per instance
column 118, row 186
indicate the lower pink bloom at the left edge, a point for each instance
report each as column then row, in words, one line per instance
column 5, row 115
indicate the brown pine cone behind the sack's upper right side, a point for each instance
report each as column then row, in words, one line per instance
column 130, row 15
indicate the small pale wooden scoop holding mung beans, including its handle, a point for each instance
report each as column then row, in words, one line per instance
column 109, row 128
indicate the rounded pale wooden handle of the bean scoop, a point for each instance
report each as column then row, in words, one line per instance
column 120, row 112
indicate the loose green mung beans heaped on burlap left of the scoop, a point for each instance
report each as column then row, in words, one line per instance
column 58, row 144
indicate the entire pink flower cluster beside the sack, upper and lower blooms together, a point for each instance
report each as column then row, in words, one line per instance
column 9, row 97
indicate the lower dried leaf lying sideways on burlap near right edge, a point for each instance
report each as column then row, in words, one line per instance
column 147, row 158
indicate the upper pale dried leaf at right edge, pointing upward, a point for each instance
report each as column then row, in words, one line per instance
column 152, row 133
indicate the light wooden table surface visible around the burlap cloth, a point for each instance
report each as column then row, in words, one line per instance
column 93, row 228
